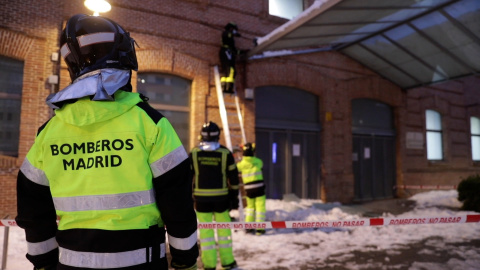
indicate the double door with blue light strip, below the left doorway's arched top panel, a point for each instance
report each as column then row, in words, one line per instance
column 291, row 162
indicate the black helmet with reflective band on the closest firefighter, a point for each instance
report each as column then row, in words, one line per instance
column 89, row 43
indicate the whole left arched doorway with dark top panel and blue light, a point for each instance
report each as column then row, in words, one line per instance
column 287, row 139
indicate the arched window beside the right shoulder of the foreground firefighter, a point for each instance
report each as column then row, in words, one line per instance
column 170, row 95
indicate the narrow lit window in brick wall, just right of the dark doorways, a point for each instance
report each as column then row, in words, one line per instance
column 434, row 135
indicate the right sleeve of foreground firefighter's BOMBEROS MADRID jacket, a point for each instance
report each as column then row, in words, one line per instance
column 173, row 192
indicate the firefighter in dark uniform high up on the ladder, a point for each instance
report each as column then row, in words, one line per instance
column 228, row 56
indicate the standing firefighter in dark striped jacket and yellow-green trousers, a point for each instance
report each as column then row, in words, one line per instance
column 215, row 191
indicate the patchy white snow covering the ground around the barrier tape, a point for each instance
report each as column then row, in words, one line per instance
column 412, row 247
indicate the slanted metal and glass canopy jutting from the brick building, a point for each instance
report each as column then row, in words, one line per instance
column 409, row 42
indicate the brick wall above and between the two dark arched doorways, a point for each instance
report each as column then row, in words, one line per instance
column 337, row 80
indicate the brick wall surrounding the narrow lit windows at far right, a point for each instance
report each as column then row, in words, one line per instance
column 456, row 101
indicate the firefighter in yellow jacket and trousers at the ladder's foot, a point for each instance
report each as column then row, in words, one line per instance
column 250, row 167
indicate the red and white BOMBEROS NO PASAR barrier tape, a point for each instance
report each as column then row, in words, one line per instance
column 326, row 223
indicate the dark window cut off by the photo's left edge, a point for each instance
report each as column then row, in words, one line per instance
column 11, row 83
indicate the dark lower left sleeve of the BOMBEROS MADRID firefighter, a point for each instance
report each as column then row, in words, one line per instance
column 36, row 215
